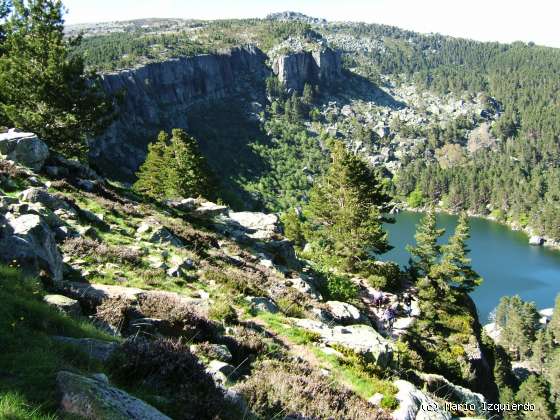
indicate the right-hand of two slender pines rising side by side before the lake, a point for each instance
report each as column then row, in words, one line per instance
column 455, row 265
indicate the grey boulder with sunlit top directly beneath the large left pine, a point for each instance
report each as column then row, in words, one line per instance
column 24, row 148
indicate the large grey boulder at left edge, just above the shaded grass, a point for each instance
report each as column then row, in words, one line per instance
column 28, row 240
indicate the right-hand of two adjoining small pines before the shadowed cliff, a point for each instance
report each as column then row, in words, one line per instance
column 187, row 173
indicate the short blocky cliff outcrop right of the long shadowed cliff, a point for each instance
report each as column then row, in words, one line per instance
column 296, row 69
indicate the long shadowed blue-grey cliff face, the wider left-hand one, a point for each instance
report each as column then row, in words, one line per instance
column 157, row 96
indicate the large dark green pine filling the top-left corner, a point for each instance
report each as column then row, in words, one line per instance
column 43, row 86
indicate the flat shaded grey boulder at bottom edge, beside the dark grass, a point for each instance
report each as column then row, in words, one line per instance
column 94, row 398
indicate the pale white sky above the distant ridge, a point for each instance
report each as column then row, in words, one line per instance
column 483, row 20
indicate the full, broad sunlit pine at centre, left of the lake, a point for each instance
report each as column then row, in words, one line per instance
column 346, row 207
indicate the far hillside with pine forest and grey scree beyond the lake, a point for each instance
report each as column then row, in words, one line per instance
column 434, row 109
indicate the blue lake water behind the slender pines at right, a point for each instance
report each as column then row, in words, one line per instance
column 504, row 258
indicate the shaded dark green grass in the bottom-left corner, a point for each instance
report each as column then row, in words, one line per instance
column 30, row 359
